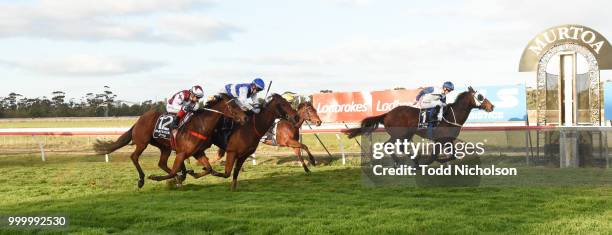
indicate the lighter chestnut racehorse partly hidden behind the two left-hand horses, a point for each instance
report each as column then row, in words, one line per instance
column 288, row 134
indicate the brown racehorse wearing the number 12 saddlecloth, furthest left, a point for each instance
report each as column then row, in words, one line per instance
column 200, row 124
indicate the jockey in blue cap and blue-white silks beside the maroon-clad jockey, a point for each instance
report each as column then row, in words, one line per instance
column 246, row 94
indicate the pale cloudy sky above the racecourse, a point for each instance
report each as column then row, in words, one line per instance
column 149, row 49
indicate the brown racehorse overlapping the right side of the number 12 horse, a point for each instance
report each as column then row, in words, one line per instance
column 245, row 139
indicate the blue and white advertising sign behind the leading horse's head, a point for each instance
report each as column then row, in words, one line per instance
column 510, row 103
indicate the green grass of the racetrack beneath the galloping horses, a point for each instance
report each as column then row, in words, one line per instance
column 101, row 197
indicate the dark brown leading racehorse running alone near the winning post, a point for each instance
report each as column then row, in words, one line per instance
column 402, row 122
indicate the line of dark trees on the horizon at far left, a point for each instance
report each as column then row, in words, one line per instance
column 102, row 104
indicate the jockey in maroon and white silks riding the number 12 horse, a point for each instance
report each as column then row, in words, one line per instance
column 183, row 102
